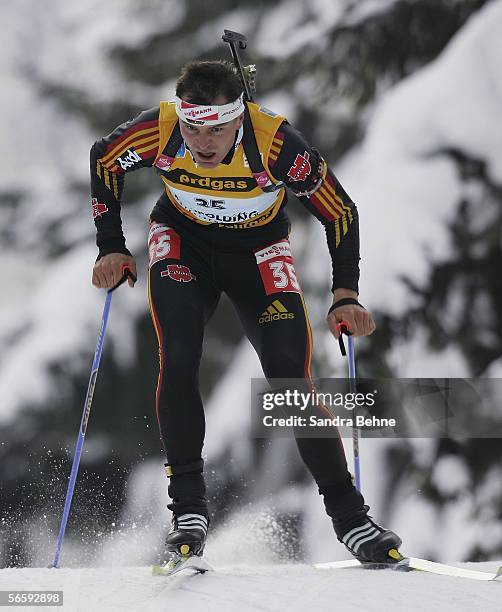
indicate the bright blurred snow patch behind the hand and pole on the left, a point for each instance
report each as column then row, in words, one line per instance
column 51, row 308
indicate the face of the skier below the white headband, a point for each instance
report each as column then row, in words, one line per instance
column 210, row 144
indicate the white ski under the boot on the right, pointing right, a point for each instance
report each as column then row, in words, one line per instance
column 408, row 564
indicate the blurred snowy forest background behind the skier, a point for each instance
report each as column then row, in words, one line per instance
column 403, row 99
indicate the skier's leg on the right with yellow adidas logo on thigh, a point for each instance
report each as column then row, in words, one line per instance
column 265, row 291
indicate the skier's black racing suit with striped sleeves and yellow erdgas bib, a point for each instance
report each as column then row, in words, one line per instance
column 201, row 244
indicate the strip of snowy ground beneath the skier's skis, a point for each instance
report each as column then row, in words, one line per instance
column 245, row 588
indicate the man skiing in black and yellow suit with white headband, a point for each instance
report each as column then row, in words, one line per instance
column 220, row 225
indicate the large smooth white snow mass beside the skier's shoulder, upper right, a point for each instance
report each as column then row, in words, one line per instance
column 408, row 186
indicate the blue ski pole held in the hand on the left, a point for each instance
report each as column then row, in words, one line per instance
column 126, row 272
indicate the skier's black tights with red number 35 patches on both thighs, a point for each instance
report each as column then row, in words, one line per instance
column 184, row 289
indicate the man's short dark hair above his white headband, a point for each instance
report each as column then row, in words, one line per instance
column 201, row 82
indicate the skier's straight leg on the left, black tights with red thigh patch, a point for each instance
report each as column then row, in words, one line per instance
column 182, row 298
